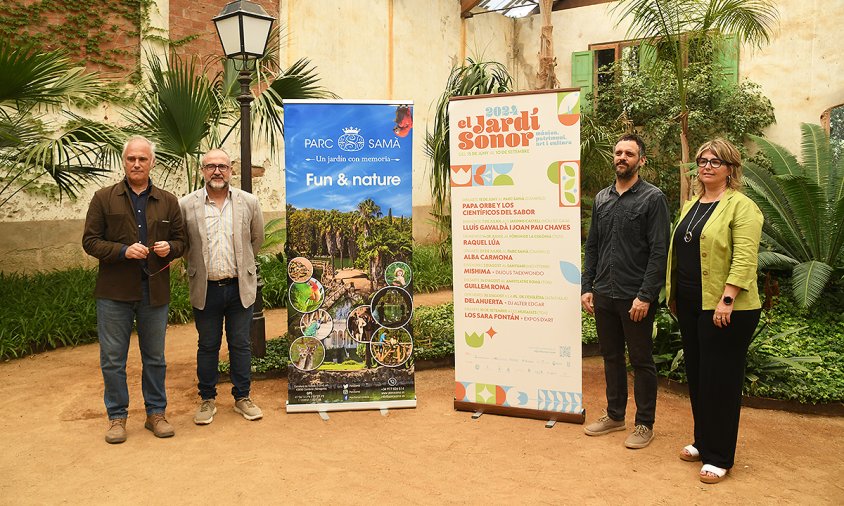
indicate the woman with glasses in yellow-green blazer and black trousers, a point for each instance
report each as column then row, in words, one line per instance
column 711, row 287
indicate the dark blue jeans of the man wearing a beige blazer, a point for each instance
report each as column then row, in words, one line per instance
column 223, row 303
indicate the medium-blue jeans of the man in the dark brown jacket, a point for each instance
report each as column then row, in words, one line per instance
column 114, row 326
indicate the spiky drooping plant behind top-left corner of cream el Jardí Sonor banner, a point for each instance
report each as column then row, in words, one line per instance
column 472, row 78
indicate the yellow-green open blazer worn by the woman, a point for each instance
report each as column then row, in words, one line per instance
column 729, row 252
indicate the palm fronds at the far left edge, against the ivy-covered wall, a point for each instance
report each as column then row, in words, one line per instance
column 33, row 152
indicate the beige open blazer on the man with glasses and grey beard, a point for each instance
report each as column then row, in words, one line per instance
column 248, row 224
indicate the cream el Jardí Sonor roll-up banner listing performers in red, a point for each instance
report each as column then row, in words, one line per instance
column 515, row 206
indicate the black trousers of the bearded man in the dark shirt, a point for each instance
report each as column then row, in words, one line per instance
column 615, row 329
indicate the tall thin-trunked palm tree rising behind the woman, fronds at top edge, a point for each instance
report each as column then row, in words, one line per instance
column 672, row 26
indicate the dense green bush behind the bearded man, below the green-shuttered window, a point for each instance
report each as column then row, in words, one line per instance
column 648, row 98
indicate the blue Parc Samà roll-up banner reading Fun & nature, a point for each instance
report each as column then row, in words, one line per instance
column 350, row 295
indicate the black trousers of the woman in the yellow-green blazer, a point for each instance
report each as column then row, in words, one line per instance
column 715, row 360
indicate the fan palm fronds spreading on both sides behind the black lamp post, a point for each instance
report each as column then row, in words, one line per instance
column 186, row 112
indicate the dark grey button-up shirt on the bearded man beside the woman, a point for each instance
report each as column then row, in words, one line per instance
column 627, row 247
